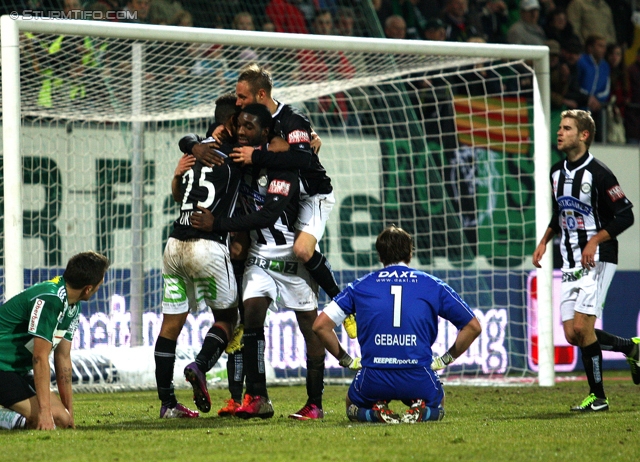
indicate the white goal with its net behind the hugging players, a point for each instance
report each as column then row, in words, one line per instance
column 434, row 137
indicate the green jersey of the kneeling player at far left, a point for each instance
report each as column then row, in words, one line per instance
column 40, row 311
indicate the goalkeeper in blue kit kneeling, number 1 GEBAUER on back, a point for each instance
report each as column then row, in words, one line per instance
column 397, row 309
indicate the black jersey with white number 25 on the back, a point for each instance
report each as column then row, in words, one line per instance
column 215, row 189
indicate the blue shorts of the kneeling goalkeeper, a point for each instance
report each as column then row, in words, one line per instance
column 372, row 385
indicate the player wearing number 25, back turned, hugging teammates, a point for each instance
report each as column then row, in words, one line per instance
column 197, row 273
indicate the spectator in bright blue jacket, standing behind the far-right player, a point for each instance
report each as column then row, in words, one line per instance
column 593, row 74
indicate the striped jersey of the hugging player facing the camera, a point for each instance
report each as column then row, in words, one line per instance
column 271, row 198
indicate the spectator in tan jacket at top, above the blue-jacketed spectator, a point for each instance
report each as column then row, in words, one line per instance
column 592, row 17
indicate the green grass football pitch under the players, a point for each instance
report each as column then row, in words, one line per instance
column 481, row 423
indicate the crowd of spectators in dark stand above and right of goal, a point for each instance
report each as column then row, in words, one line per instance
column 587, row 40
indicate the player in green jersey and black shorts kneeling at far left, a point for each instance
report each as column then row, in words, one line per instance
column 32, row 324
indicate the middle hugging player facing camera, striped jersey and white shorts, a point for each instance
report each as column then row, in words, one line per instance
column 273, row 273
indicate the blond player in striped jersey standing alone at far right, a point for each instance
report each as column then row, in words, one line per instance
column 589, row 211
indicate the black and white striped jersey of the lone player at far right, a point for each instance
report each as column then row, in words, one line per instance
column 586, row 199
